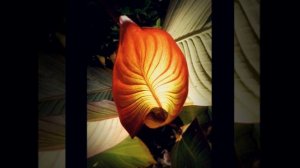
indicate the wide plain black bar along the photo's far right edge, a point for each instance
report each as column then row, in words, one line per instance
column 279, row 96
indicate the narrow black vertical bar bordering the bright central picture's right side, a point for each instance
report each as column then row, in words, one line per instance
column 223, row 154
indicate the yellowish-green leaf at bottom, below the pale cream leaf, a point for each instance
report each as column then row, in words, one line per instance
column 130, row 153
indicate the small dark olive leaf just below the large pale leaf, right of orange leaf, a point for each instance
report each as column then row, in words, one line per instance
column 189, row 113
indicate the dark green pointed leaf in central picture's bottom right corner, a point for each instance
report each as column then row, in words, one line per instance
column 192, row 150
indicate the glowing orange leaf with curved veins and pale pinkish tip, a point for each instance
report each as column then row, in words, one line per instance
column 150, row 77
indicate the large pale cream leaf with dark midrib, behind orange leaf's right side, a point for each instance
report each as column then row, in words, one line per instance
column 189, row 23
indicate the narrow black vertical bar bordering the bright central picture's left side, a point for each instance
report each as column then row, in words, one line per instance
column 76, row 129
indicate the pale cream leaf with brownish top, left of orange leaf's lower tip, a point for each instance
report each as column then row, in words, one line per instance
column 104, row 127
